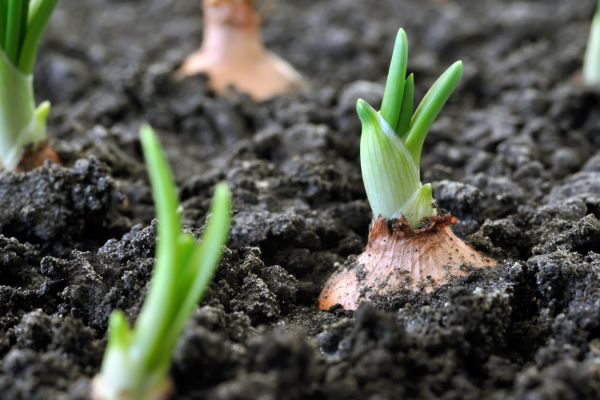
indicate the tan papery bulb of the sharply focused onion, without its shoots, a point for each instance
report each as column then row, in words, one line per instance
column 398, row 258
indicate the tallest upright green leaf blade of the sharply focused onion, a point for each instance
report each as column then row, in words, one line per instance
column 394, row 88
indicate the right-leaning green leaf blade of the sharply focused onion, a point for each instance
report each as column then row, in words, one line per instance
column 430, row 107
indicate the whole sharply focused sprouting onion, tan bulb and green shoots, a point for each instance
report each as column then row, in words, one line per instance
column 410, row 245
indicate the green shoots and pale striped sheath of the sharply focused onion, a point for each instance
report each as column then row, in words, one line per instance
column 392, row 140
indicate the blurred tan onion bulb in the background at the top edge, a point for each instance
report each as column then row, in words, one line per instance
column 232, row 53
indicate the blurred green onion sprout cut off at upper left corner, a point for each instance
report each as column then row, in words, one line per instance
column 22, row 24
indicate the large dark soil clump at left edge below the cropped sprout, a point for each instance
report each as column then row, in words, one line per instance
column 52, row 206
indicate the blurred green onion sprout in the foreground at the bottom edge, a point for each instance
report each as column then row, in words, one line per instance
column 137, row 360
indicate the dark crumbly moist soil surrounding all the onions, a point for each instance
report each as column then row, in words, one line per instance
column 515, row 155
